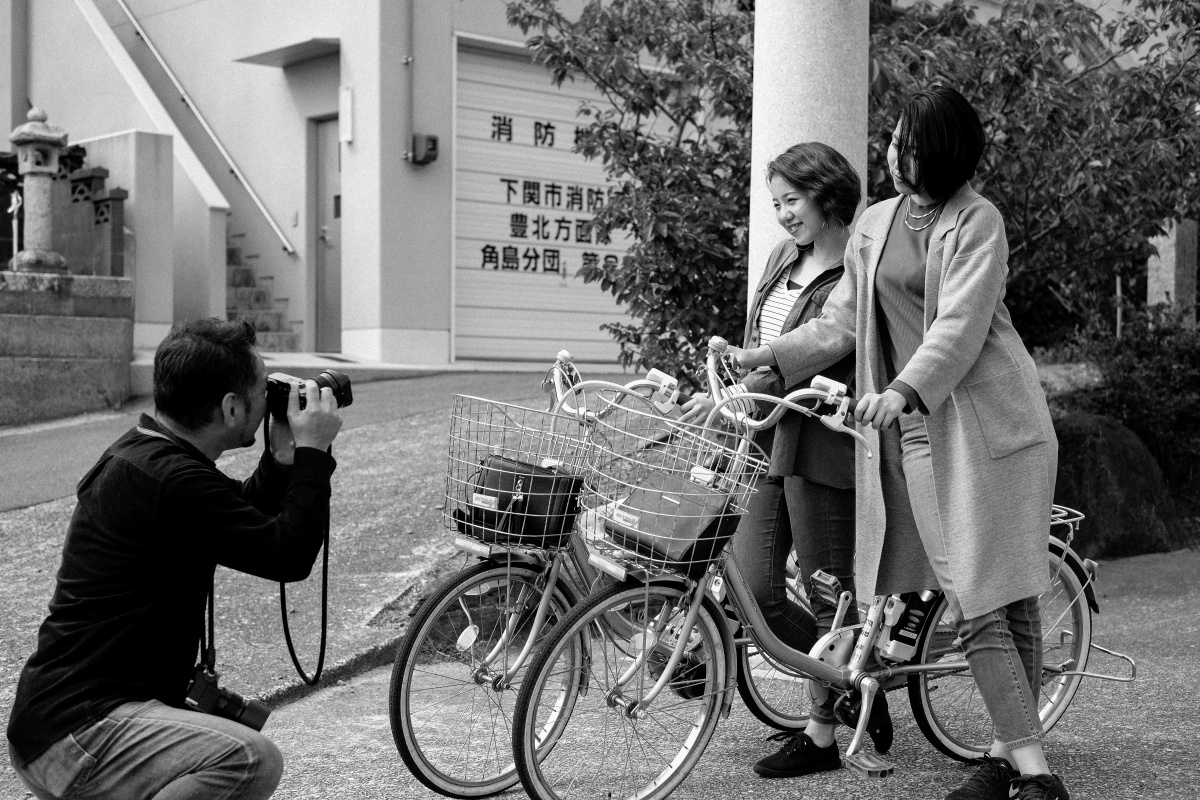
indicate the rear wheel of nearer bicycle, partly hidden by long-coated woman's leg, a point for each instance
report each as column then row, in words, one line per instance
column 949, row 707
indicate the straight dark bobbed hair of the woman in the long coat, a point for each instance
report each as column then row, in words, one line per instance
column 941, row 142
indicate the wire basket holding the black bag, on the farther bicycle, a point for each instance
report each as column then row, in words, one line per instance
column 514, row 474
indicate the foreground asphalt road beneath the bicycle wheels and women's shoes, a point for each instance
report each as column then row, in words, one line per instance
column 1118, row 742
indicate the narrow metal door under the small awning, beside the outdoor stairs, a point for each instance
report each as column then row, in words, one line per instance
column 328, row 324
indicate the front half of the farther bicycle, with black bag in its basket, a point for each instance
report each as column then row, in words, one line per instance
column 512, row 488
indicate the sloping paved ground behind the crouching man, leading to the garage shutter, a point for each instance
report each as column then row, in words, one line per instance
column 387, row 536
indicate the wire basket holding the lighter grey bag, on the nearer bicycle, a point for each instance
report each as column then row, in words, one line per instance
column 667, row 495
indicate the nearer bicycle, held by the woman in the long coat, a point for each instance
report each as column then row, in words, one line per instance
column 620, row 715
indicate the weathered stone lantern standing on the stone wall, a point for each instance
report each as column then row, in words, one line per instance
column 38, row 160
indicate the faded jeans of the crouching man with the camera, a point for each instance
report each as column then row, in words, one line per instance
column 143, row 751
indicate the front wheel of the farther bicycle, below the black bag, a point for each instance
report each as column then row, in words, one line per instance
column 452, row 727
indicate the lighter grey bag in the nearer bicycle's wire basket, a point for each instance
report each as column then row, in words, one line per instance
column 671, row 519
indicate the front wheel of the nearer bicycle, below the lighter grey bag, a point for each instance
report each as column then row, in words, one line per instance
column 602, row 750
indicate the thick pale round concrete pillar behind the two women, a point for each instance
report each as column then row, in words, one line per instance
column 811, row 83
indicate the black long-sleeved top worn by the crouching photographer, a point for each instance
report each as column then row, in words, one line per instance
column 155, row 518
